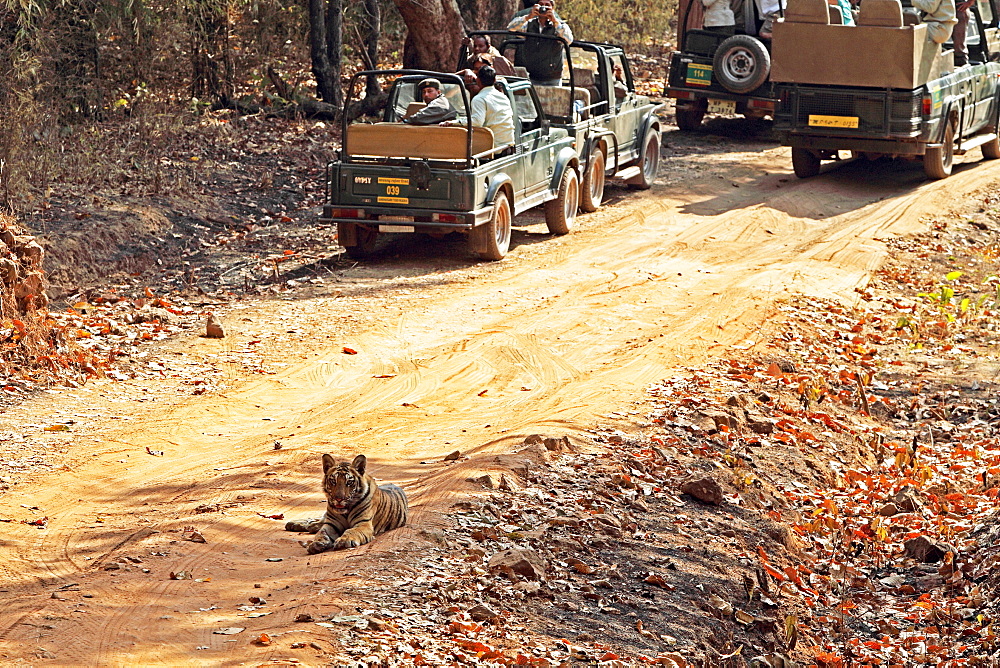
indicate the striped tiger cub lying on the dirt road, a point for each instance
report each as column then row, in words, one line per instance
column 357, row 509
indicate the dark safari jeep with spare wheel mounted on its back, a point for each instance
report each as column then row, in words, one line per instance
column 712, row 73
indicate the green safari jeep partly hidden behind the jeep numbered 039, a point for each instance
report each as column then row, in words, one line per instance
column 617, row 131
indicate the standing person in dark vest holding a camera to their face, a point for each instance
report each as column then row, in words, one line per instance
column 542, row 58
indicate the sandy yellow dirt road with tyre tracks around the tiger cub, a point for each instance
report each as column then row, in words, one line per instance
column 450, row 356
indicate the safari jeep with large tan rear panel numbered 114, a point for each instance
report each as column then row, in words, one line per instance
column 892, row 93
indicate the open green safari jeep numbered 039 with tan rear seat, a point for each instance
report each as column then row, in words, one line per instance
column 395, row 178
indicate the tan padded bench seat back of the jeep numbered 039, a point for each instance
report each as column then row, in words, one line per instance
column 430, row 142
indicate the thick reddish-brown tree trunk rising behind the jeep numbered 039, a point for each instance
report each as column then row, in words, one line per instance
column 434, row 31
